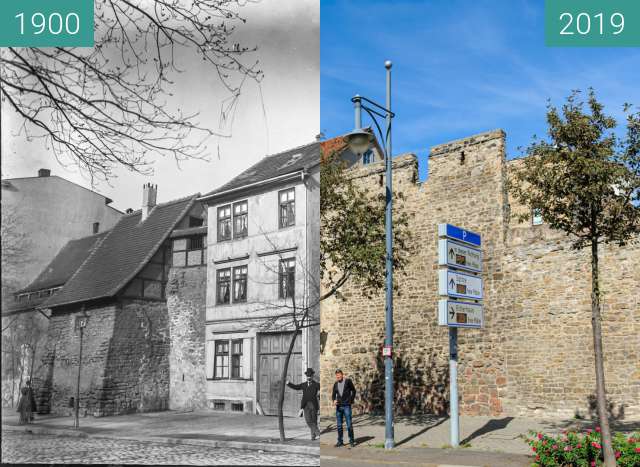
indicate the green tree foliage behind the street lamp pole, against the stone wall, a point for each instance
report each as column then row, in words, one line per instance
column 352, row 231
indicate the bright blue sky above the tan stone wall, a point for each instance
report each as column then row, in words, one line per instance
column 460, row 67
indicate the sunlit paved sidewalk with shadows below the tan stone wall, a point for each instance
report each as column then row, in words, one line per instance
column 494, row 434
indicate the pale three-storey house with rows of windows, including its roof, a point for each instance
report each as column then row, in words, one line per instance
column 262, row 282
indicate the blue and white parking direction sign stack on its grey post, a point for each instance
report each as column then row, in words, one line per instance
column 460, row 286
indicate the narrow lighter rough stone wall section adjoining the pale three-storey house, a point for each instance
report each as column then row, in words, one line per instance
column 186, row 302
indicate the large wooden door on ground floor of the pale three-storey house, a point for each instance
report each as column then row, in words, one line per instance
column 272, row 352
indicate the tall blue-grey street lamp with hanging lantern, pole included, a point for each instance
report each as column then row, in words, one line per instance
column 359, row 141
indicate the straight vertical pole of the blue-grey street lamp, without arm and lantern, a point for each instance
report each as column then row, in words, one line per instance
column 388, row 361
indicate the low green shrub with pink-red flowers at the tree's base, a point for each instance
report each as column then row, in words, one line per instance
column 571, row 449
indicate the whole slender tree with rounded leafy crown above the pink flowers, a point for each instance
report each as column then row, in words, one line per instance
column 585, row 181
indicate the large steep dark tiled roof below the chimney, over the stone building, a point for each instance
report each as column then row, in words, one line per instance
column 125, row 250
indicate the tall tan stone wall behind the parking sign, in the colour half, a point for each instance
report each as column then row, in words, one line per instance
column 534, row 356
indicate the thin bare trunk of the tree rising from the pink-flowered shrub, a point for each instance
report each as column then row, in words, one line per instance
column 596, row 324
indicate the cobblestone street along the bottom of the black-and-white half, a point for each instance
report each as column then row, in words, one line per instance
column 21, row 447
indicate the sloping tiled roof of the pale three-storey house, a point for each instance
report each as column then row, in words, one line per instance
column 283, row 163
